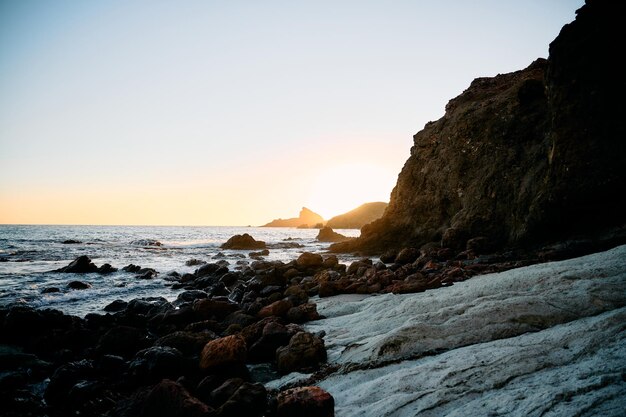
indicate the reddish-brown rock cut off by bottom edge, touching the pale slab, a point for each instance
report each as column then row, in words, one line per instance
column 305, row 402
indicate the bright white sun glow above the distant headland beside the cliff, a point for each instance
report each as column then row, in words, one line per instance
column 341, row 188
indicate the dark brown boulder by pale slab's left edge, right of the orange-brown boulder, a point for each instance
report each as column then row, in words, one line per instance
column 305, row 351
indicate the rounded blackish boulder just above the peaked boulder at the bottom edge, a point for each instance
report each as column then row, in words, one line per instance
column 157, row 362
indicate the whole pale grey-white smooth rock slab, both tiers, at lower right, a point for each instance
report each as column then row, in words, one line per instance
column 545, row 340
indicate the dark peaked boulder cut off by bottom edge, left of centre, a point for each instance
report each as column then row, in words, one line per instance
column 170, row 399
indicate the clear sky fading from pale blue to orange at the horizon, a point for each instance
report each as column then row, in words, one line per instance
column 234, row 112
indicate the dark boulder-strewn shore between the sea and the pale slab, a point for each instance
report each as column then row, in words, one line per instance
column 229, row 331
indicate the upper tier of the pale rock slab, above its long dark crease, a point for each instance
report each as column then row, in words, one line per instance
column 389, row 327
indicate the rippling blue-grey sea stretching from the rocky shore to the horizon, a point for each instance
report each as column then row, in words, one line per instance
column 29, row 254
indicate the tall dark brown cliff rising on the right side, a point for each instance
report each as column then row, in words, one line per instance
column 520, row 158
